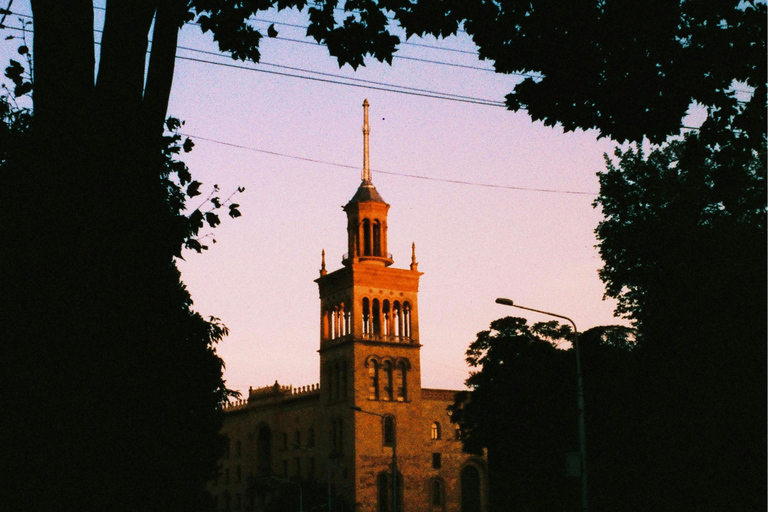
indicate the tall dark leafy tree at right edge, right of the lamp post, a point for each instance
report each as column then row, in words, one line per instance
column 686, row 258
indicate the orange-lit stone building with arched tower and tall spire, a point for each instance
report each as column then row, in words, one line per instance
column 369, row 361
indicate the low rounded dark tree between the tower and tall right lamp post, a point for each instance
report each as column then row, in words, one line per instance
column 521, row 407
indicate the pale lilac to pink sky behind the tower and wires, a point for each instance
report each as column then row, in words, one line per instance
column 497, row 205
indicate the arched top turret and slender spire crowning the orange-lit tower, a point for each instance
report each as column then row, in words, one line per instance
column 367, row 216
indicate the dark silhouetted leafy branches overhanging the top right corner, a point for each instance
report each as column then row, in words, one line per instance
column 628, row 70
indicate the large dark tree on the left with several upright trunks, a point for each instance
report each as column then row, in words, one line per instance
column 111, row 387
